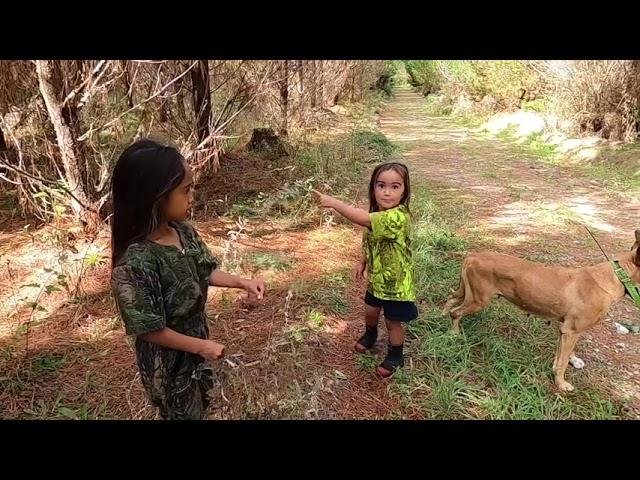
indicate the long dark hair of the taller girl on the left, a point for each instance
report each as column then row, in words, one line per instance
column 144, row 174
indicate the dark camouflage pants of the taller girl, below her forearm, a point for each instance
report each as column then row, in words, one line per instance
column 176, row 382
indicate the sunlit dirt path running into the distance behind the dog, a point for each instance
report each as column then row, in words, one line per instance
column 516, row 204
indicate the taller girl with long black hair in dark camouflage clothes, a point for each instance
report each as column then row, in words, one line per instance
column 160, row 277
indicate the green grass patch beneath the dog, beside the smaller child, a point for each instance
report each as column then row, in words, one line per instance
column 500, row 367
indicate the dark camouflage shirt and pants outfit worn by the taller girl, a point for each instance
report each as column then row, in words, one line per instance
column 157, row 286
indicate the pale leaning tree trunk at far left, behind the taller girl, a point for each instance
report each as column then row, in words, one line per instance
column 67, row 144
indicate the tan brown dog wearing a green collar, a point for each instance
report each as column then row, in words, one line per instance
column 577, row 297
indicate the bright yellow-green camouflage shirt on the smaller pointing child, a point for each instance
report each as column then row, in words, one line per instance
column 387, row 249
